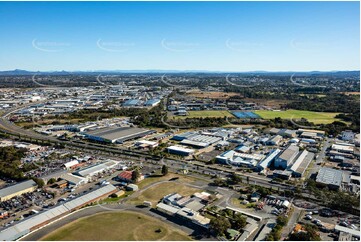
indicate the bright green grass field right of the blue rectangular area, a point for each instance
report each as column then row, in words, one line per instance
column 315, row 117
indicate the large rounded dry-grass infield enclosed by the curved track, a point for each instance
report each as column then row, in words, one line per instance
column 117, row 226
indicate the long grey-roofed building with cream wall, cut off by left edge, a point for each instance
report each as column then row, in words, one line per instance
column 16, row 190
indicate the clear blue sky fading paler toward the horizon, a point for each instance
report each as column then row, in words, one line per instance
column 210, row 36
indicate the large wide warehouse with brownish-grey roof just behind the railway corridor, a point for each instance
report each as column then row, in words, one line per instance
column 116, row 134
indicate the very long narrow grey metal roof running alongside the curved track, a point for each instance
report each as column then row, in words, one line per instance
column 20, row 229
